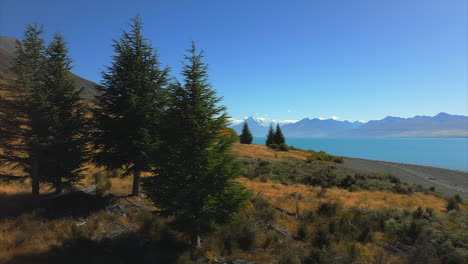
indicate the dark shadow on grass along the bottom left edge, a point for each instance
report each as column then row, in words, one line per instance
column 132, row 247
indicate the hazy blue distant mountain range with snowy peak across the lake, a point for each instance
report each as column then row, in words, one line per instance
column 441, row 125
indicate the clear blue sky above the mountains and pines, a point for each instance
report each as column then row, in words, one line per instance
column 354, row 59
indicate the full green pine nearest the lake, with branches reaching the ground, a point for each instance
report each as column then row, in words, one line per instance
column 195, row 183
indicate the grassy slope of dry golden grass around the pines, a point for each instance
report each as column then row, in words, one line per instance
column 25, row 238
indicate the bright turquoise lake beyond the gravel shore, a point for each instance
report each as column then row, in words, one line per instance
column 450, row 153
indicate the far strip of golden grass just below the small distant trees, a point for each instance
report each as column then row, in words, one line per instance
column 263, row 152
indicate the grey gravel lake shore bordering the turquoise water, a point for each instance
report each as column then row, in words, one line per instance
column 448, row 181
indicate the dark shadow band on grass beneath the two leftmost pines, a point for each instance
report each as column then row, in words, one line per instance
column 69, row 204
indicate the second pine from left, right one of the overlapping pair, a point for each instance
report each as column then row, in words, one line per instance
column 67, row 126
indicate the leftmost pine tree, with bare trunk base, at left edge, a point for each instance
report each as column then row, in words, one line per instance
column 22, row 108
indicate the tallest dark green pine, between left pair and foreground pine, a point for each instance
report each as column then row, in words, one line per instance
column 129, row 109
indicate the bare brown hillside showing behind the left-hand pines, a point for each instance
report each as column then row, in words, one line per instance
column 8, row 54
